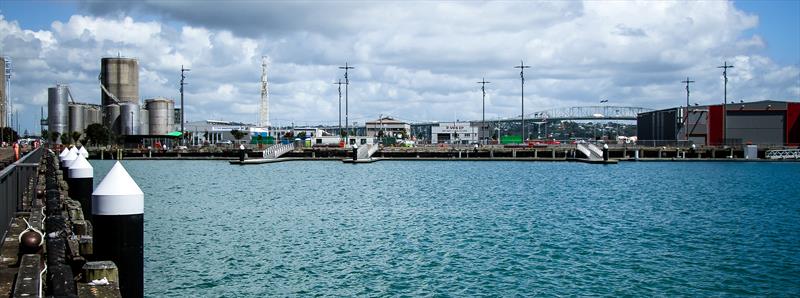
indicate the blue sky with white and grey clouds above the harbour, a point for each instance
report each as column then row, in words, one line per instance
column 414, row 60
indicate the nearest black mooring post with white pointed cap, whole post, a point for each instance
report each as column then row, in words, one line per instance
column 118, row 220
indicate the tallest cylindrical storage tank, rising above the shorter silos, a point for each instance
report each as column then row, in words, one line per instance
column 120, row 76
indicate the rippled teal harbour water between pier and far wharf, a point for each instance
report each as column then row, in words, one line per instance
column 469, row 228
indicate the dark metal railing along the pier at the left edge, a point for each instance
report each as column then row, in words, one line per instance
column 14, row 180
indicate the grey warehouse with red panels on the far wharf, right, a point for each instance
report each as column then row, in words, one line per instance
column 765, row 123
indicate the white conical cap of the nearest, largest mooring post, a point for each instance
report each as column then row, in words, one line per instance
column 117, row 194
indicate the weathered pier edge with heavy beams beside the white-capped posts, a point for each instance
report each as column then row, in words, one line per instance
column 45, row 227
